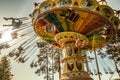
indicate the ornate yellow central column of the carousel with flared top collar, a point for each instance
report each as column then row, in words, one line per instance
column 72, row 60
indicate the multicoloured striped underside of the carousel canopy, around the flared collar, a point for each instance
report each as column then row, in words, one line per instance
column 74, row 20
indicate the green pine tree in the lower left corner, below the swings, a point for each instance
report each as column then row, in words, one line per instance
column 5, row 69
